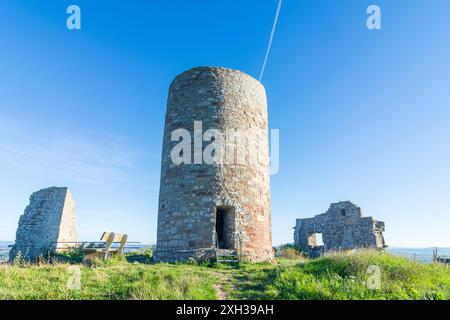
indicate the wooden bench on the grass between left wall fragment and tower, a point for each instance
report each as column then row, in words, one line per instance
column 103, row 251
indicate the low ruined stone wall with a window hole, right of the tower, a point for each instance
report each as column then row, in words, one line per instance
column 342, row 227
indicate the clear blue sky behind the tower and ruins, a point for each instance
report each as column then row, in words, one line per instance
column 363, row 115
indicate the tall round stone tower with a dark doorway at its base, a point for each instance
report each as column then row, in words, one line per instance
column 215, row 185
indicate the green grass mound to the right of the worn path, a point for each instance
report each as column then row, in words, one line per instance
column 345, row 276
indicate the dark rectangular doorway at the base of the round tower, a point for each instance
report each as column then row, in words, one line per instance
column 224, row 228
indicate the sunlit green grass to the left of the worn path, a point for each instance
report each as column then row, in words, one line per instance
column 111, row 280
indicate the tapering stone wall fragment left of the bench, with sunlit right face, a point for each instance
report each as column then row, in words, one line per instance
column 48, row 219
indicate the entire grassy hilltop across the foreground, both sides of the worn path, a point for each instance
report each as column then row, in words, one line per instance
column 335, row 276
